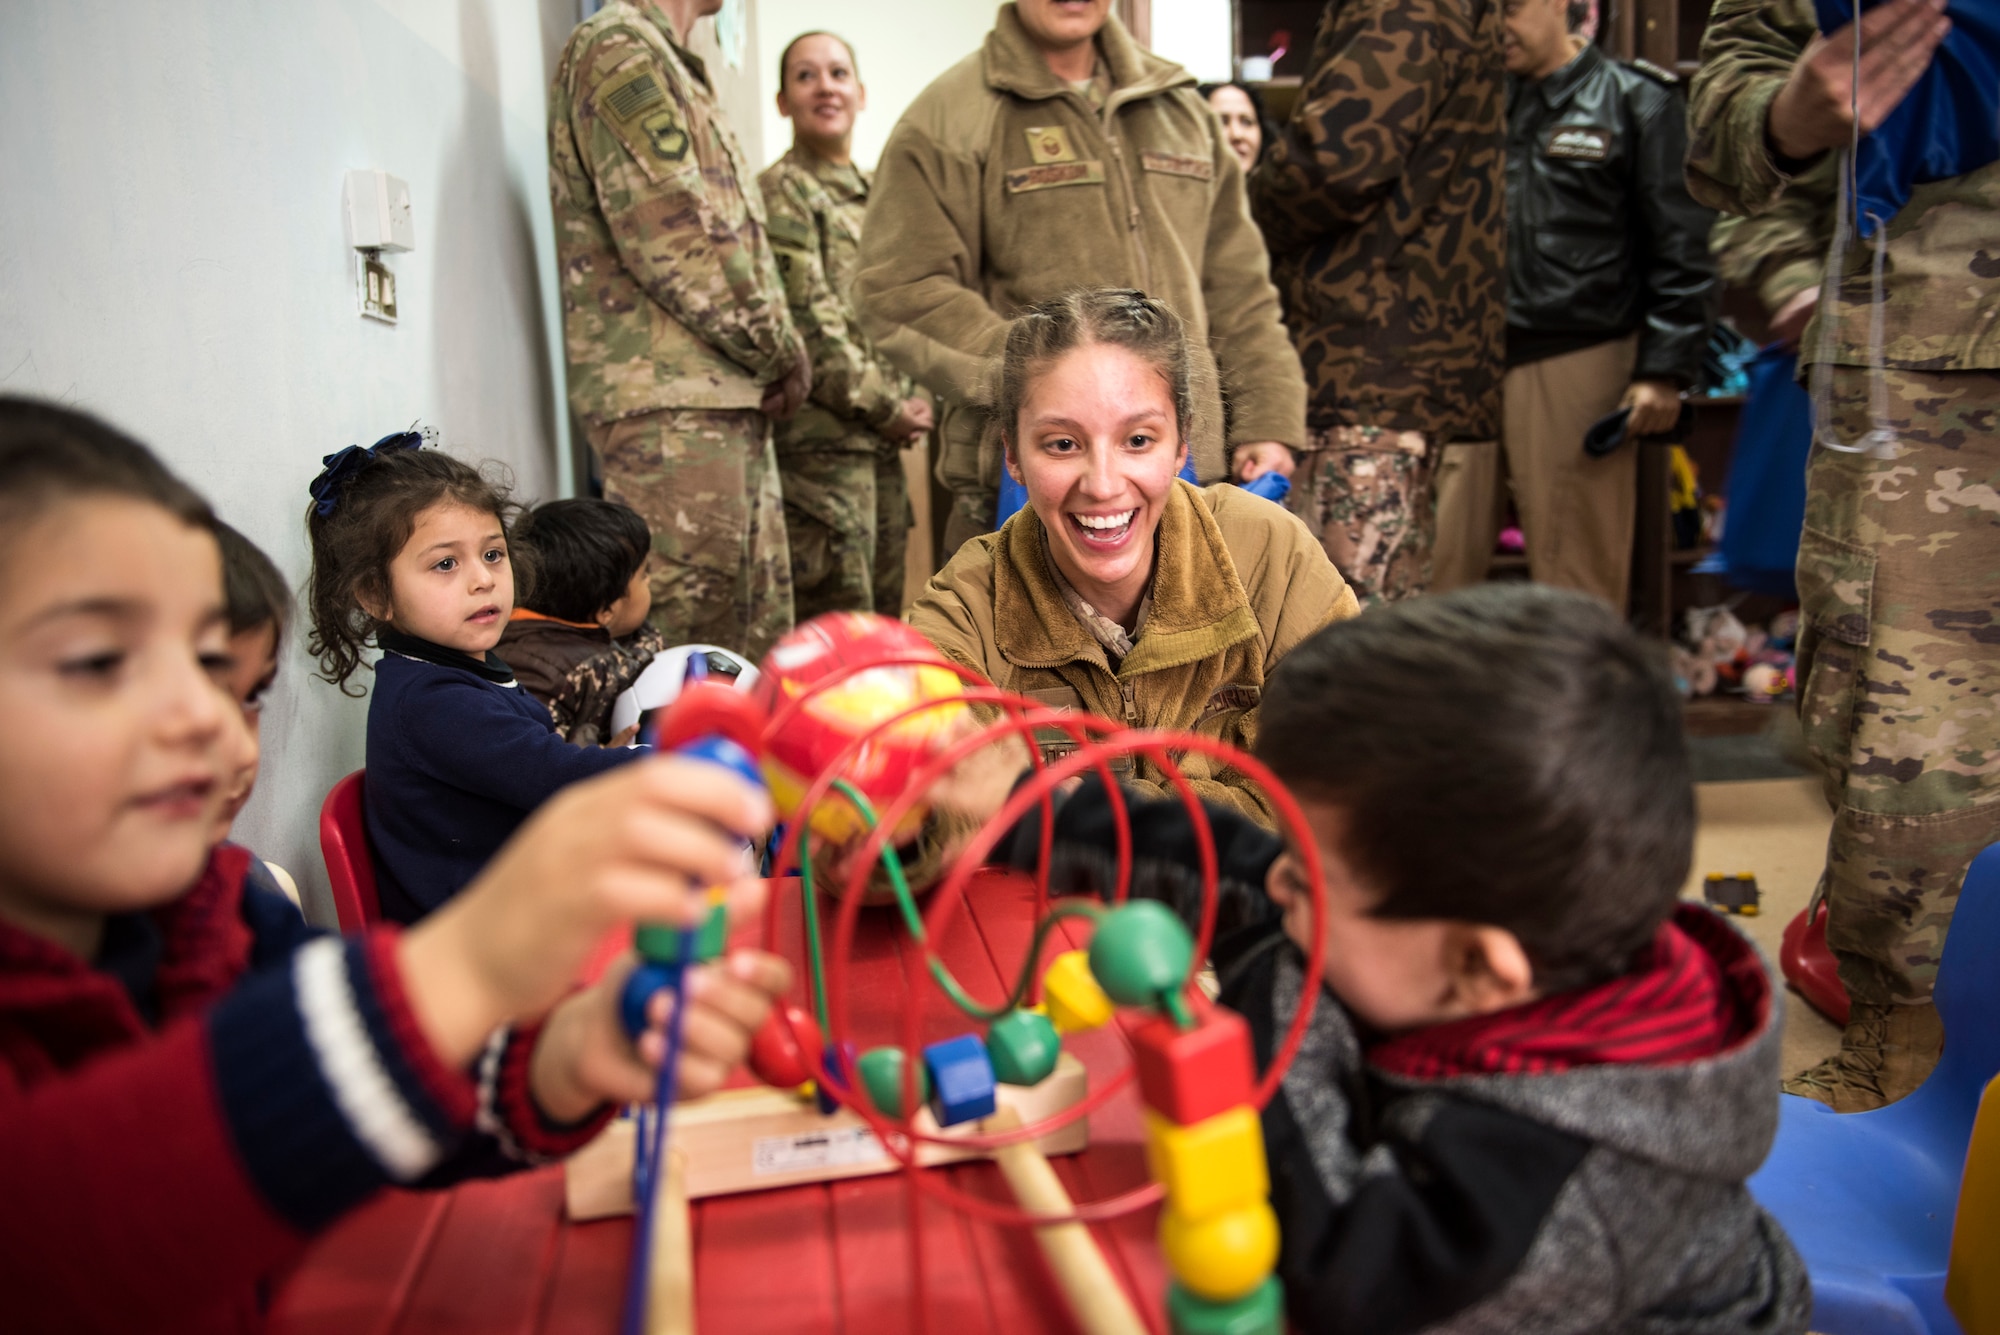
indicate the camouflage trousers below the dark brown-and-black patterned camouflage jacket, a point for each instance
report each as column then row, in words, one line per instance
column 1371, row 501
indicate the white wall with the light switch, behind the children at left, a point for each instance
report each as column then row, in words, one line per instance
column 171, row 257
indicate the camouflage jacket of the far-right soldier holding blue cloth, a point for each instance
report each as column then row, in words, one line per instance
column 1941, row 287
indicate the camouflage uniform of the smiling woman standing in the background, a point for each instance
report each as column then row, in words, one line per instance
column 847, row 509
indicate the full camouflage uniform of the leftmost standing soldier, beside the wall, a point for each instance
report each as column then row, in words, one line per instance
column 675, row 323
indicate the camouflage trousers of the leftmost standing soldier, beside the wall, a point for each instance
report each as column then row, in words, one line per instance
column 707, row 485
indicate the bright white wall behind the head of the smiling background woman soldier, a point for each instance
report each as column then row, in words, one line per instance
column 901, row 47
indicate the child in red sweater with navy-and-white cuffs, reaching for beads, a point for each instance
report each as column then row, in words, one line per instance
column 195, row 1084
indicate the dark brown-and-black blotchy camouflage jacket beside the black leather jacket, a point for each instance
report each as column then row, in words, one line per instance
column 1385, row 209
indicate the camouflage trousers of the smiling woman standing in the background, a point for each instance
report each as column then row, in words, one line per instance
column 847, row 517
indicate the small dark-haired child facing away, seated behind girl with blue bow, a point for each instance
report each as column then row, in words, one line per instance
column 581, row 637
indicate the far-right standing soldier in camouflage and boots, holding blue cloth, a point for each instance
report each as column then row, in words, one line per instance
column 1899, row 565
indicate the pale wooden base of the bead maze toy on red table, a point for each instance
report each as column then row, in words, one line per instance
column 751, row 1140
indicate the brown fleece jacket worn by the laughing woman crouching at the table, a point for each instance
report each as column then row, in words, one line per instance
column 1237, row 585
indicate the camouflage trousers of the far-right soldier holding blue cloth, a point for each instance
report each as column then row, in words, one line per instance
column 1899, row 665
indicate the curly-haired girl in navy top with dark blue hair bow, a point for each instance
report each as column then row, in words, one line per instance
column 413, row 551
